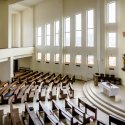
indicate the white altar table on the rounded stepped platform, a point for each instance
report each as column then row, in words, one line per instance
column 109, row 88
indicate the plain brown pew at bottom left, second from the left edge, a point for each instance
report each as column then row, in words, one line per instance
column 15, row 115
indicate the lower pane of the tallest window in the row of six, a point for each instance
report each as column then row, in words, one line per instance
column 90, row 38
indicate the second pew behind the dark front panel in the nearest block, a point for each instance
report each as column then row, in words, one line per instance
column 63, row 113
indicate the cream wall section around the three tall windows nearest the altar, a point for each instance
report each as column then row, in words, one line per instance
column 70, row 9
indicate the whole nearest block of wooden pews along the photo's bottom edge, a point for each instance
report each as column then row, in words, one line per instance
column 70, row 113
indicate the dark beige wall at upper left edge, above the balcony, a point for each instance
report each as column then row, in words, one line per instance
column 3, row 24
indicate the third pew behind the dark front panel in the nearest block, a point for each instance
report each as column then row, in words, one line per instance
column 48, row 115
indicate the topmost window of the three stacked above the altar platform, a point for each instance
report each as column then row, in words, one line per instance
column 112, row 12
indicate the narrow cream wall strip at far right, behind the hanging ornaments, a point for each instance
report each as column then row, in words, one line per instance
column 121, row 39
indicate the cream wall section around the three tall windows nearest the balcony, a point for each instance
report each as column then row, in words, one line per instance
column 48, row 12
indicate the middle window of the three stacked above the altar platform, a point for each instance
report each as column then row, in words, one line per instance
column 111, row 39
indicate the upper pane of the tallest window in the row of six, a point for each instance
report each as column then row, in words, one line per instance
column 90, row 19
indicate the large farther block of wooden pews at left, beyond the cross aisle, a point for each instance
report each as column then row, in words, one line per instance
column 26, row 85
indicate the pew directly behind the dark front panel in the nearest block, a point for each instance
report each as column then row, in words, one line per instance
column 77, row 111
